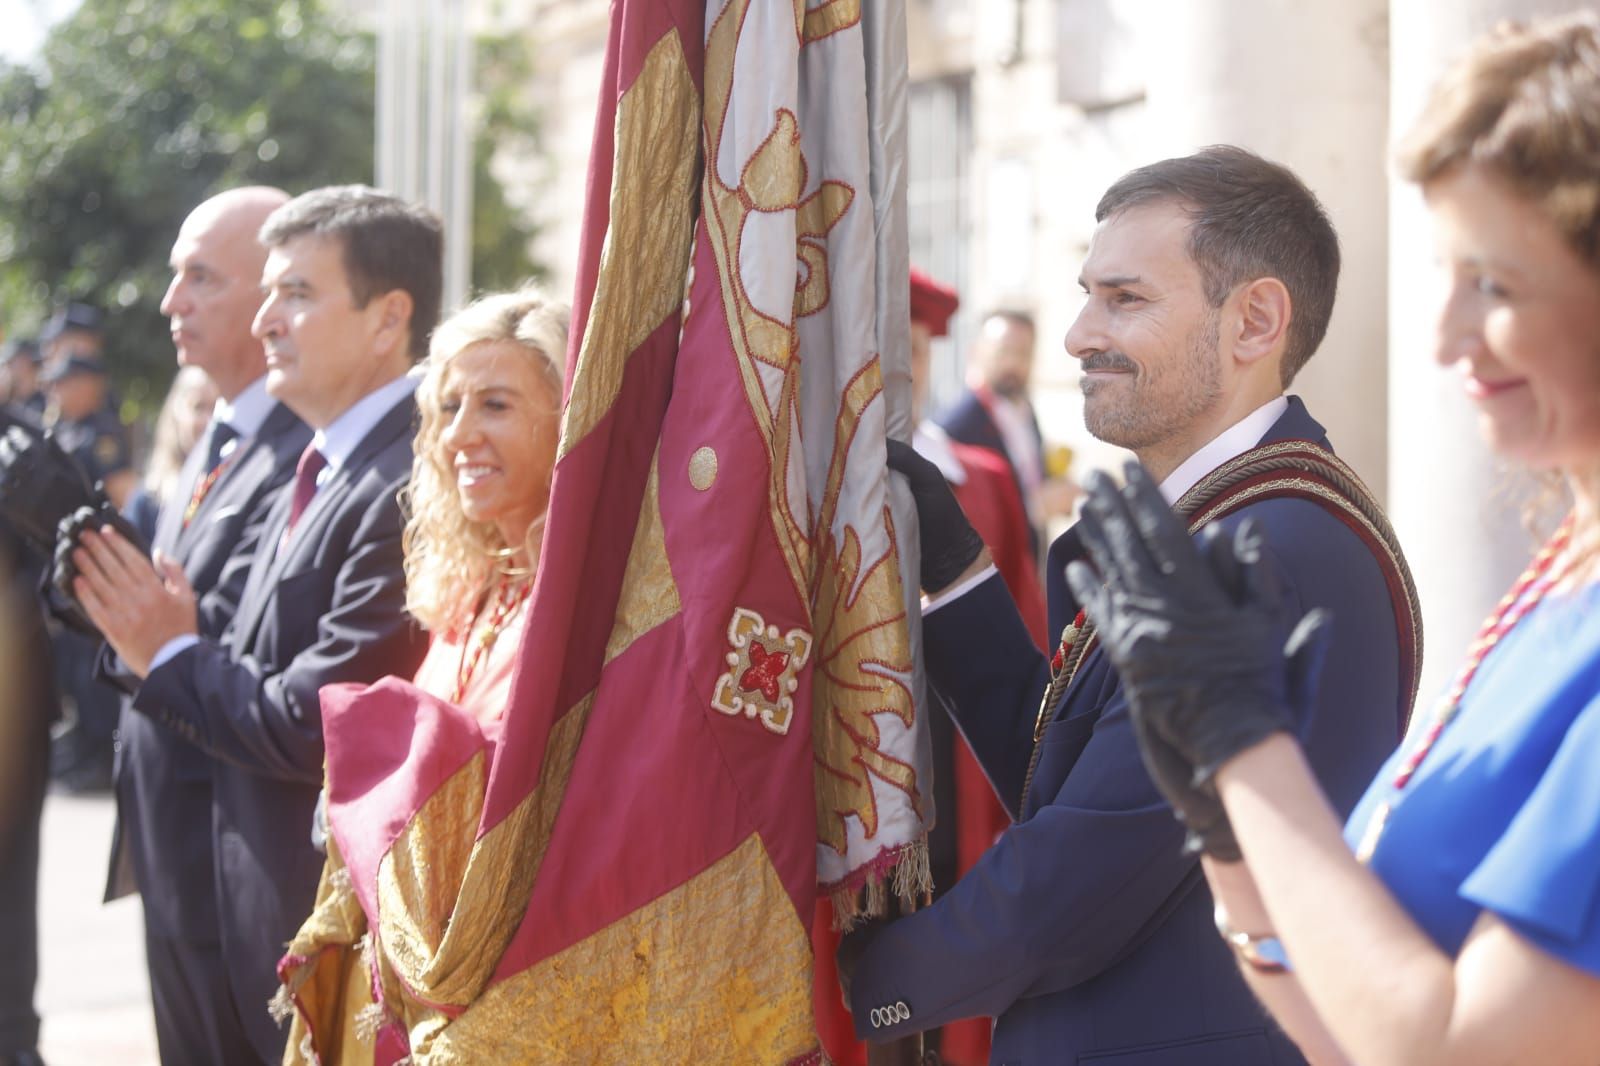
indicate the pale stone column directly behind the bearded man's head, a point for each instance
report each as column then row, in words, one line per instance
column 1306, row 86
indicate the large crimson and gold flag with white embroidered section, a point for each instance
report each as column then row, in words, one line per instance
column 713, row 710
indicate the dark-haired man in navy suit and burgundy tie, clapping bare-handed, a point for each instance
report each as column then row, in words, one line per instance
column 353, row 291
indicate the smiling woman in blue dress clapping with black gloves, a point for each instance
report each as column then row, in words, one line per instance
column 1457, row 918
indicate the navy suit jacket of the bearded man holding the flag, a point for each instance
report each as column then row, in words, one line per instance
column 1086, row 932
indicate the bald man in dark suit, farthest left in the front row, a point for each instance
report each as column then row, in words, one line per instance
column 162, row 846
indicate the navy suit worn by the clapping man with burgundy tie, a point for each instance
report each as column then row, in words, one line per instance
column 327, row 606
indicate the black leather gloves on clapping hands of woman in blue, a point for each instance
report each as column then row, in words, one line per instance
column 1201, row 639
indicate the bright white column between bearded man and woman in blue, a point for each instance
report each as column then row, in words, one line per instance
column 1452, row 502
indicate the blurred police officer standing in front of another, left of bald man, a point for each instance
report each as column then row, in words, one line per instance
column 92, row 435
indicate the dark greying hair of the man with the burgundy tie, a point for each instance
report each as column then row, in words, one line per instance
column 388, row 246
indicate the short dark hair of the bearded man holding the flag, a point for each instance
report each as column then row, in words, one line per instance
column 1249, row 218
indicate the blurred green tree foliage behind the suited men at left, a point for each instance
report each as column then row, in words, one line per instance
column 140, row 110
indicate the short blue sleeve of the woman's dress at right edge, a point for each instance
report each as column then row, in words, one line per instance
column 1543, row 876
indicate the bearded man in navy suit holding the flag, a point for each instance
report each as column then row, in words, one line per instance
column 1087, row 931
